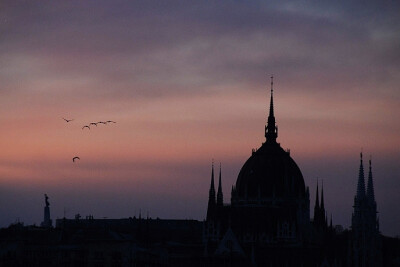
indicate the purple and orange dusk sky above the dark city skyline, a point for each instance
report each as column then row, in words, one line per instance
column 188, row 83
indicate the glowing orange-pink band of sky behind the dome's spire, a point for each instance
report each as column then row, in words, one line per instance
column 185, row 129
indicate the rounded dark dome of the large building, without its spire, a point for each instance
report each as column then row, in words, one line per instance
column 270, row 173
